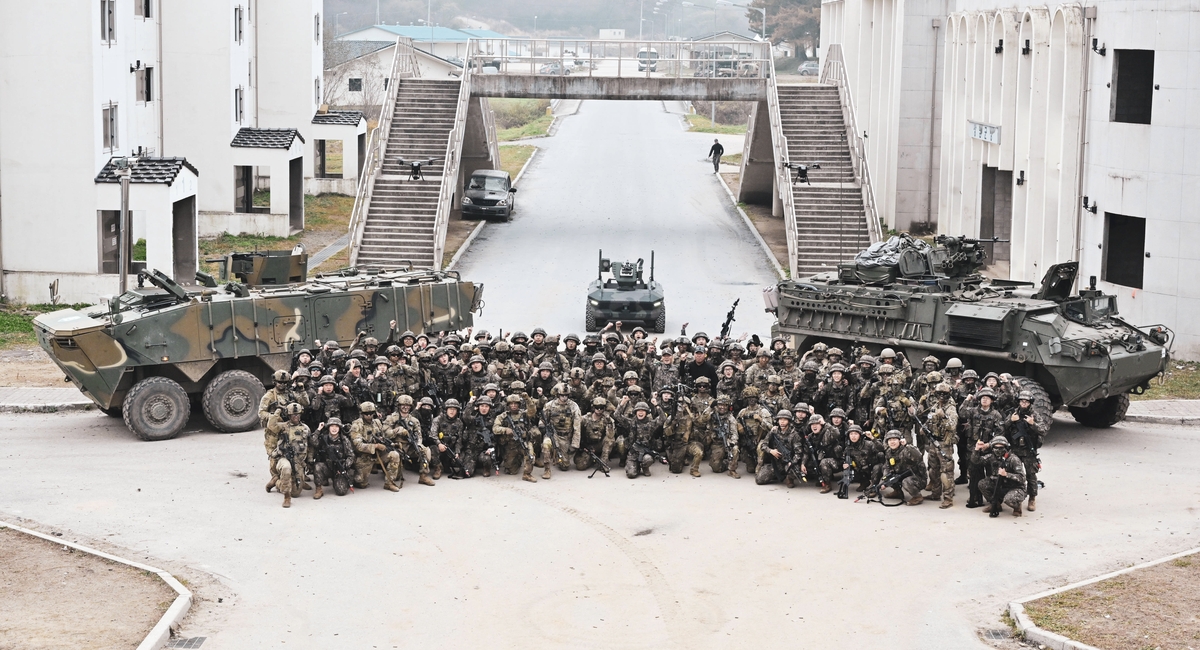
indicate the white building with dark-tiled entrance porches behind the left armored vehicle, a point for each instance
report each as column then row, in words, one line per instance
column 169, row 86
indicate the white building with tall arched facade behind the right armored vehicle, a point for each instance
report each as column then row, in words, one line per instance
column 1030, row 112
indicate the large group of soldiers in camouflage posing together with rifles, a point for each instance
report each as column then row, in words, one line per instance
column 461, row 406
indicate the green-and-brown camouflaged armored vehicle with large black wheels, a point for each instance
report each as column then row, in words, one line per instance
column 149, row 353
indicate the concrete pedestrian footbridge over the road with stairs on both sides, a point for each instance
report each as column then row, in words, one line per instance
column 449, row 127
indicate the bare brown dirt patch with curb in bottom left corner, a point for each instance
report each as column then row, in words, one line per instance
column 53, row 597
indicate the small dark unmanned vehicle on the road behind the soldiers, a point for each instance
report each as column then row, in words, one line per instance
column 620, row 293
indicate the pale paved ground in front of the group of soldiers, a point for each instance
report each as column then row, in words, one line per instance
column 662, row 562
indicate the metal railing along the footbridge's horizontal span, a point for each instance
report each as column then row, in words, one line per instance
column 619, row 58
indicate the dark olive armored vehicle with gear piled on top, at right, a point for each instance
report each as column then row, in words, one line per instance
column 923, row 299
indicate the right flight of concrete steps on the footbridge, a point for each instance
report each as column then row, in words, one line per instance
column 831, row 219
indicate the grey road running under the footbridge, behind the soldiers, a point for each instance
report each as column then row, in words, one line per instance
column 625, row 178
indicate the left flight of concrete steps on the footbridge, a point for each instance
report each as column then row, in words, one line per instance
column 401, row 215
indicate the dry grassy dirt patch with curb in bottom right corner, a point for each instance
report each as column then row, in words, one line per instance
column 1151, row 609
